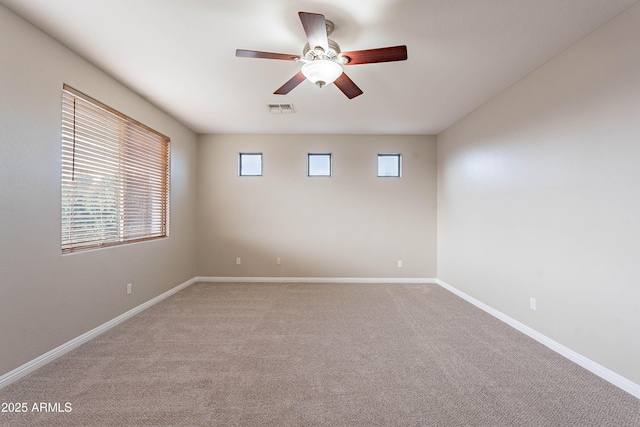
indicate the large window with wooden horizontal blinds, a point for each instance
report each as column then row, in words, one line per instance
column 115, row 176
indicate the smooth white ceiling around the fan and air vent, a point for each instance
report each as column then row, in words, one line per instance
column 181, row 56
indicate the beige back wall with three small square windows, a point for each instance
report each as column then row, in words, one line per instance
column 350, row 225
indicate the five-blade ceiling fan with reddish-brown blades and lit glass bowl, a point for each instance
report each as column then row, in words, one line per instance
column 322, row 59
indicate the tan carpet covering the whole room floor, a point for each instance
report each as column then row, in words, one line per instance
column 284, row 354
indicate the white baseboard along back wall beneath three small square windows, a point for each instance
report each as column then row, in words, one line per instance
column 219, row 279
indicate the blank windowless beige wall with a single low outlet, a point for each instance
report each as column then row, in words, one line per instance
column 538, row 196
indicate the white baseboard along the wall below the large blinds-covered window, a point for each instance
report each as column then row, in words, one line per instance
column 42, row 360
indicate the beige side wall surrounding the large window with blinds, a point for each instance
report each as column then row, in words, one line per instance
column 47, row 299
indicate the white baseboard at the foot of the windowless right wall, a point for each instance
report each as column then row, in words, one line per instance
column 599, row 370
